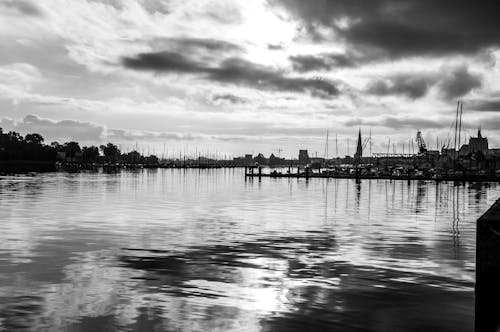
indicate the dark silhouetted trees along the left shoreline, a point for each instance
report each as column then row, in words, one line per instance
column 13, row 146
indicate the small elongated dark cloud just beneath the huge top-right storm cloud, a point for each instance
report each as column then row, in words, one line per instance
column 305, row 63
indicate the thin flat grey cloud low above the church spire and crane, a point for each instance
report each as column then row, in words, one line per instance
column 397, row 123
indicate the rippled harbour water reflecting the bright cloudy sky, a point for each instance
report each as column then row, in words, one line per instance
column 205, row 250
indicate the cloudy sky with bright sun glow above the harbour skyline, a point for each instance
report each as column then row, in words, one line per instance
column 230, row 77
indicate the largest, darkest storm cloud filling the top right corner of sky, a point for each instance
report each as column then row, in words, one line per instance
column 403, row 27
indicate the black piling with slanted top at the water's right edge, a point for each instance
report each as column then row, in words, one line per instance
column 488, row 270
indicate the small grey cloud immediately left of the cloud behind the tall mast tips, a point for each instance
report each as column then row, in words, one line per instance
column 411, row 86
